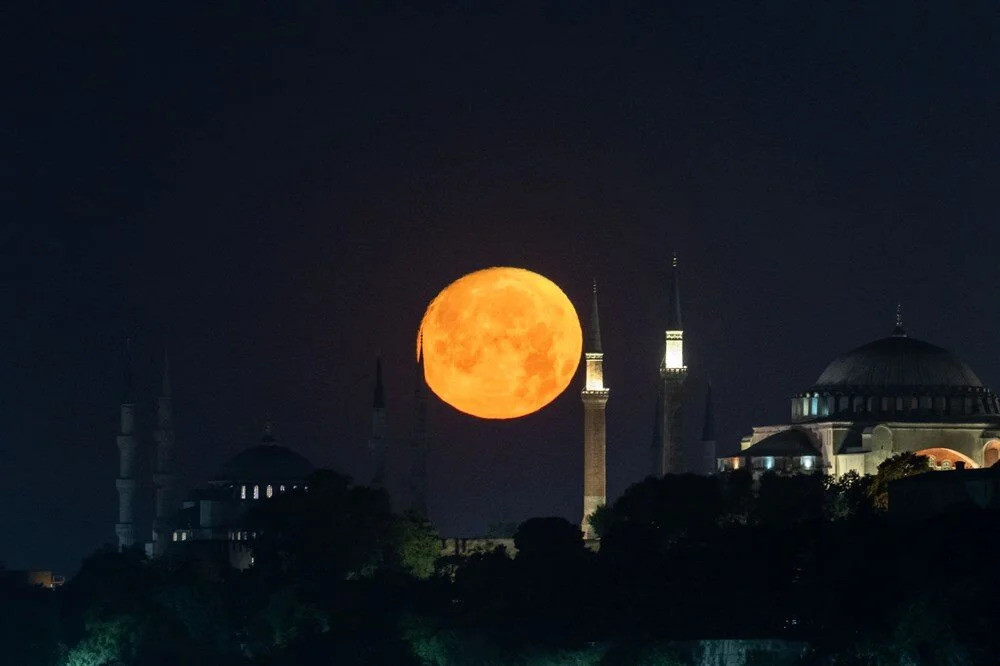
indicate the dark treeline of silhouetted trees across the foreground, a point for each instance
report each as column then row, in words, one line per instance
column 339, row 578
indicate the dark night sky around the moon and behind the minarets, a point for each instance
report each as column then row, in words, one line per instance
column 277, row 190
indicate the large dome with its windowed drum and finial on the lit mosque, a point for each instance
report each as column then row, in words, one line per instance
column 897, row 378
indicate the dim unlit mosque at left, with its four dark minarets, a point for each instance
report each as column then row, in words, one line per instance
column 211, row 521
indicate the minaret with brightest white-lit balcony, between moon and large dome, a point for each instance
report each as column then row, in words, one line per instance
column 672, row 374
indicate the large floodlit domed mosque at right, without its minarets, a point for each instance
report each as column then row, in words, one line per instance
column 892, row 395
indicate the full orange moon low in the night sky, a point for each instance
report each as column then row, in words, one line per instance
column 500, row 343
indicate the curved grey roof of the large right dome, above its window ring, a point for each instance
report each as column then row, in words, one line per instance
column 897, row 362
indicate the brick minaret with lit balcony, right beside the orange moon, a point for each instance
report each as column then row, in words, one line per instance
column 595, row 399
